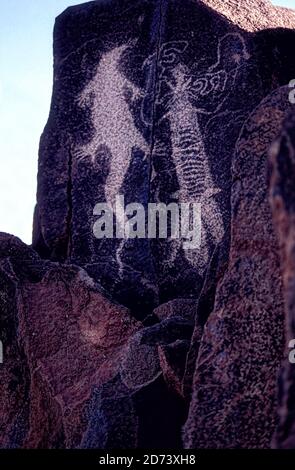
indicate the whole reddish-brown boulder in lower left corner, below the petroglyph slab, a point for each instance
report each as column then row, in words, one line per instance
column 62, row 337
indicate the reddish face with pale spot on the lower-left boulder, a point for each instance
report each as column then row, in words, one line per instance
column 73, row 345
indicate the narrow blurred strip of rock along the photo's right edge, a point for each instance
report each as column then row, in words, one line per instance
column 283, row 204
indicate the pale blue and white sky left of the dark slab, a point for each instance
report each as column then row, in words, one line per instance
column 25, row 93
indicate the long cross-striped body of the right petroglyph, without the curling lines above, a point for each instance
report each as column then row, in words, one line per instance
column 192, row 167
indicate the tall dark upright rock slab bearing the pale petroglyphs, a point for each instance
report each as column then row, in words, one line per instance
column 149, row 110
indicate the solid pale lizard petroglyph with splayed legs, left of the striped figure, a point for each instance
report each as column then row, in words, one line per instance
column 112, row 120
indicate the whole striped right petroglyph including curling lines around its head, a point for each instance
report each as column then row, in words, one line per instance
column 190, row 95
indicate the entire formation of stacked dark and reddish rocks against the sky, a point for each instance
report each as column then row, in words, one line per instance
column 115, row 343
